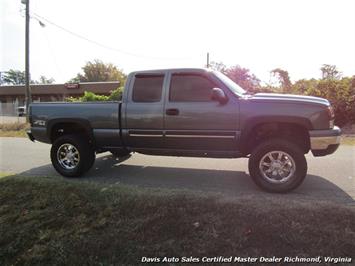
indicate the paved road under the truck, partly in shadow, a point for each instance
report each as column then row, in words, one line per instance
column 330, row 178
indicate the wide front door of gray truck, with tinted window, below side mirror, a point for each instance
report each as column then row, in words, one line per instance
column 195, row 122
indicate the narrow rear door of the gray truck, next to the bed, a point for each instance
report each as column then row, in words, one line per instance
column 144, row 111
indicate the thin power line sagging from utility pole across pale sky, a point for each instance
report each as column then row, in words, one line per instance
column 104, row 45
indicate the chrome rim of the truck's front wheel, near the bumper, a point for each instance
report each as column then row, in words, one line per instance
column 277, row 166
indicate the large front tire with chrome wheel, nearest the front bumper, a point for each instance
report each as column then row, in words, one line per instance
column 277, row 166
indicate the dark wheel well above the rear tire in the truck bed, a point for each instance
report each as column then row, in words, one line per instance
column 61, row 129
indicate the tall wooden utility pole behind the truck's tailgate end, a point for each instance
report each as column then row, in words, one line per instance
column 27, row 54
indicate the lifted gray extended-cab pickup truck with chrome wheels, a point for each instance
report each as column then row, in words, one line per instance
column 191, row 112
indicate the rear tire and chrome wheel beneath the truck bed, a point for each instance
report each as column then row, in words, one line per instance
column 72, row 155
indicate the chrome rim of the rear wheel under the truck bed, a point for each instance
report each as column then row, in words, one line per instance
column 68, row 156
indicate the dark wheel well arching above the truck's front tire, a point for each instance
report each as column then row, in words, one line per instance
column 292, row 132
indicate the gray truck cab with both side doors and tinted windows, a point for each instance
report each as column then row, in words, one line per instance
column 182, row 112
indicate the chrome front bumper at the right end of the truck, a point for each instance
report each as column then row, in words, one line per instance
column 324, row 142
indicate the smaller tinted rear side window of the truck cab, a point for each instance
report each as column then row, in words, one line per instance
column 147, row 88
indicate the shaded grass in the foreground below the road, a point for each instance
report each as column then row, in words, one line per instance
column 54, row 221
